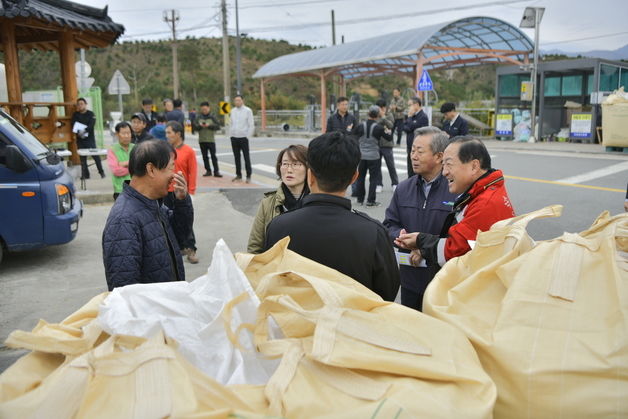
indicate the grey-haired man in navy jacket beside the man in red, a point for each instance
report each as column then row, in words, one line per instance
column 420, row 203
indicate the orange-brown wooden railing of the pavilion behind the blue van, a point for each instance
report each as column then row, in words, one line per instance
column 51, row 128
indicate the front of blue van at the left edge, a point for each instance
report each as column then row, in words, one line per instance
column 38, row 205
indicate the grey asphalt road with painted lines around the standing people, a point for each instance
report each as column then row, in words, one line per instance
column 53, row 282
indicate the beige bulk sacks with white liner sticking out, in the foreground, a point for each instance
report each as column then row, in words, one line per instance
column 272, row 334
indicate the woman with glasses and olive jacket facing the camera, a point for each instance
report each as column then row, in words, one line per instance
column 291, row 168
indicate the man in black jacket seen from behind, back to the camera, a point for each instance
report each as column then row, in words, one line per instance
column 327, row 231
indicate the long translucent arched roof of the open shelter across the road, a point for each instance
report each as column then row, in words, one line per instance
column 468, row 41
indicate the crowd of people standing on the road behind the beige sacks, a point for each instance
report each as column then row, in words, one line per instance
column 450, row 193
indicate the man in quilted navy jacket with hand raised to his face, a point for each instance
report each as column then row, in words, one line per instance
column 139, row 243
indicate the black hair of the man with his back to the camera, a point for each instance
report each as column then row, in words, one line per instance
column 334, row 158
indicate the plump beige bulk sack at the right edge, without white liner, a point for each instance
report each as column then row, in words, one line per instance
column 549, row 320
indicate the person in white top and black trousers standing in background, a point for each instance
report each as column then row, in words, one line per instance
column 240, row 129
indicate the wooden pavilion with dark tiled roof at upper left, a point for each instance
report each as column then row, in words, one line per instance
column 50, row 25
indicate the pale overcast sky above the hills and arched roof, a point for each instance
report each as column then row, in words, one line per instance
column 569, row 25
